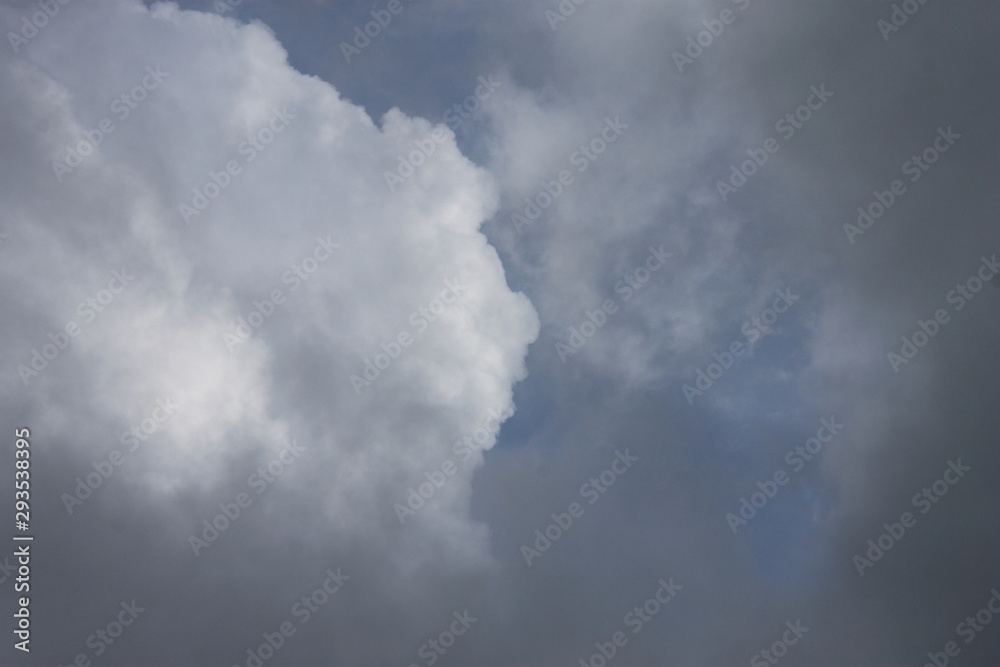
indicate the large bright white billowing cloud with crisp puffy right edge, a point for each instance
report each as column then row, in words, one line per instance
column 286, row 181
